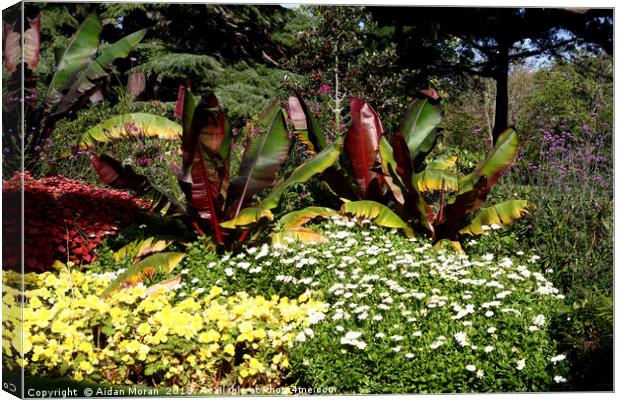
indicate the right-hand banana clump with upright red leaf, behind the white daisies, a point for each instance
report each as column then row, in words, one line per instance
column 394, row 171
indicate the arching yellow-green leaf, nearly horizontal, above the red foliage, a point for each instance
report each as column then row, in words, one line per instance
column 136, row 124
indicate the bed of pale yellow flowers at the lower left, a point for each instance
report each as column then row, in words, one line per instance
column 201, row 341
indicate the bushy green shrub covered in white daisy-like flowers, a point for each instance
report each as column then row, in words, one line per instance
column 402, row 297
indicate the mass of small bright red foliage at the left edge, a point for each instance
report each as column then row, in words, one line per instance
column 64, row 220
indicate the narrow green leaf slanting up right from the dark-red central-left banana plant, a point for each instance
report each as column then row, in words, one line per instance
column 302, row 173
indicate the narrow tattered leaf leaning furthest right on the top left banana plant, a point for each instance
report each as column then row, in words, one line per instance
column 98, row 69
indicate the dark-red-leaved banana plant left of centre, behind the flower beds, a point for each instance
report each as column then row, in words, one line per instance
column 217, row 204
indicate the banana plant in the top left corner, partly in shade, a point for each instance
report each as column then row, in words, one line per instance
column 80, row 70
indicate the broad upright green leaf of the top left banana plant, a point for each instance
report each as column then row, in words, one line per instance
column 77, row 55
